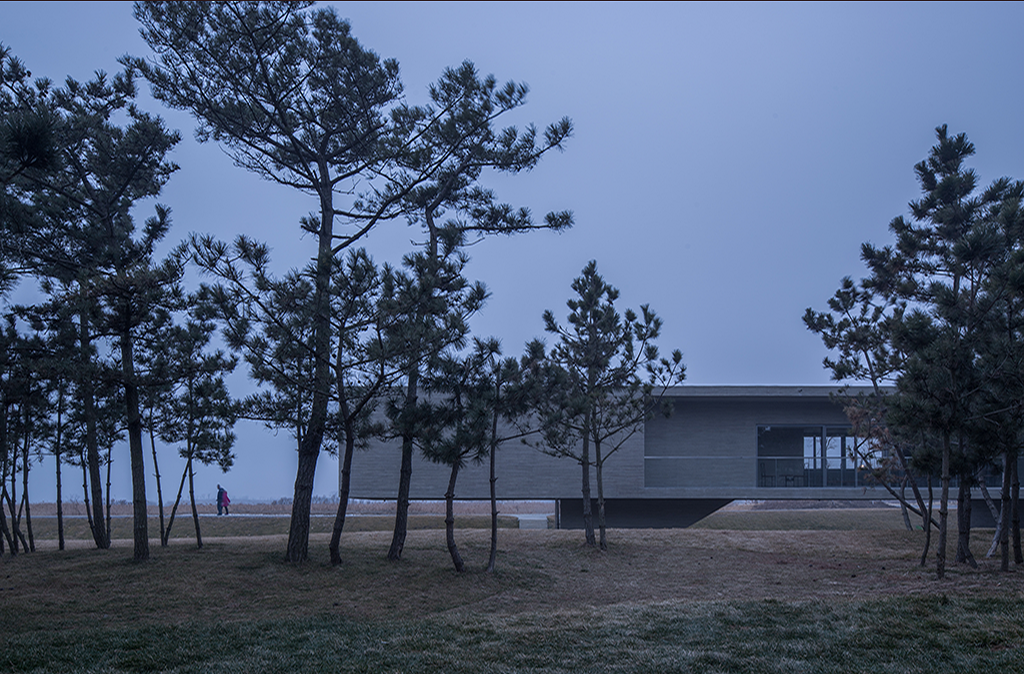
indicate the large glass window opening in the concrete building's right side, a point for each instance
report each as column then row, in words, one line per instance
column 809, row 456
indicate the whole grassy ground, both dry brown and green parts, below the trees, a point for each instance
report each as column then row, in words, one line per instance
column 732, row 596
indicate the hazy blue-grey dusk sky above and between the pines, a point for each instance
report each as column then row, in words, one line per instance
column 729, row 159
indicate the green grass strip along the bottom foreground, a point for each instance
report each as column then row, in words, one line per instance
column 899, row 636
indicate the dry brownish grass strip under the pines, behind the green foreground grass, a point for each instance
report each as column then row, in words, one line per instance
column 244, row 578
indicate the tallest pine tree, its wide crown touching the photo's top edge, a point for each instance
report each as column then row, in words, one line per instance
column 295, row 99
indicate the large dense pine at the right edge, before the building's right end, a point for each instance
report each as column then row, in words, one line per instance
column 937, row 311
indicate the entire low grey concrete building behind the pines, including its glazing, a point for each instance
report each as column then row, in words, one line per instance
column 720, row 444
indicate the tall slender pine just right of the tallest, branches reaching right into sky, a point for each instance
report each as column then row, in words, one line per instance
column 455, row 142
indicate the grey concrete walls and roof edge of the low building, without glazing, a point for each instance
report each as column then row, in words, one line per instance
column 707, row 449
